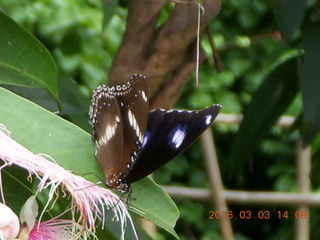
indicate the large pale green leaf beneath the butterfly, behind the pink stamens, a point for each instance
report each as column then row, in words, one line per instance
column 72, row 148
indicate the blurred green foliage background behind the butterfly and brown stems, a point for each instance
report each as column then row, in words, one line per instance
column 83, row 38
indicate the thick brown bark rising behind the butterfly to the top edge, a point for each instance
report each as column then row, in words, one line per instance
column 166, row 55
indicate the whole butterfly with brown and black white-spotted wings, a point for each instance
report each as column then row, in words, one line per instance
column 131, row 141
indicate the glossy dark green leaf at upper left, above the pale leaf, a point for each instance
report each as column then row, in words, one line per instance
column 24, row 61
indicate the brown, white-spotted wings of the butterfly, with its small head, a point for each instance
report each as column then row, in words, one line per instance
column 118, row 116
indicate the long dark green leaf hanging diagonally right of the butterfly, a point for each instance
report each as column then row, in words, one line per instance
column 267, row 105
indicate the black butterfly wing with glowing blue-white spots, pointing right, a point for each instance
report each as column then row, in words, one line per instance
column 168, row 134
